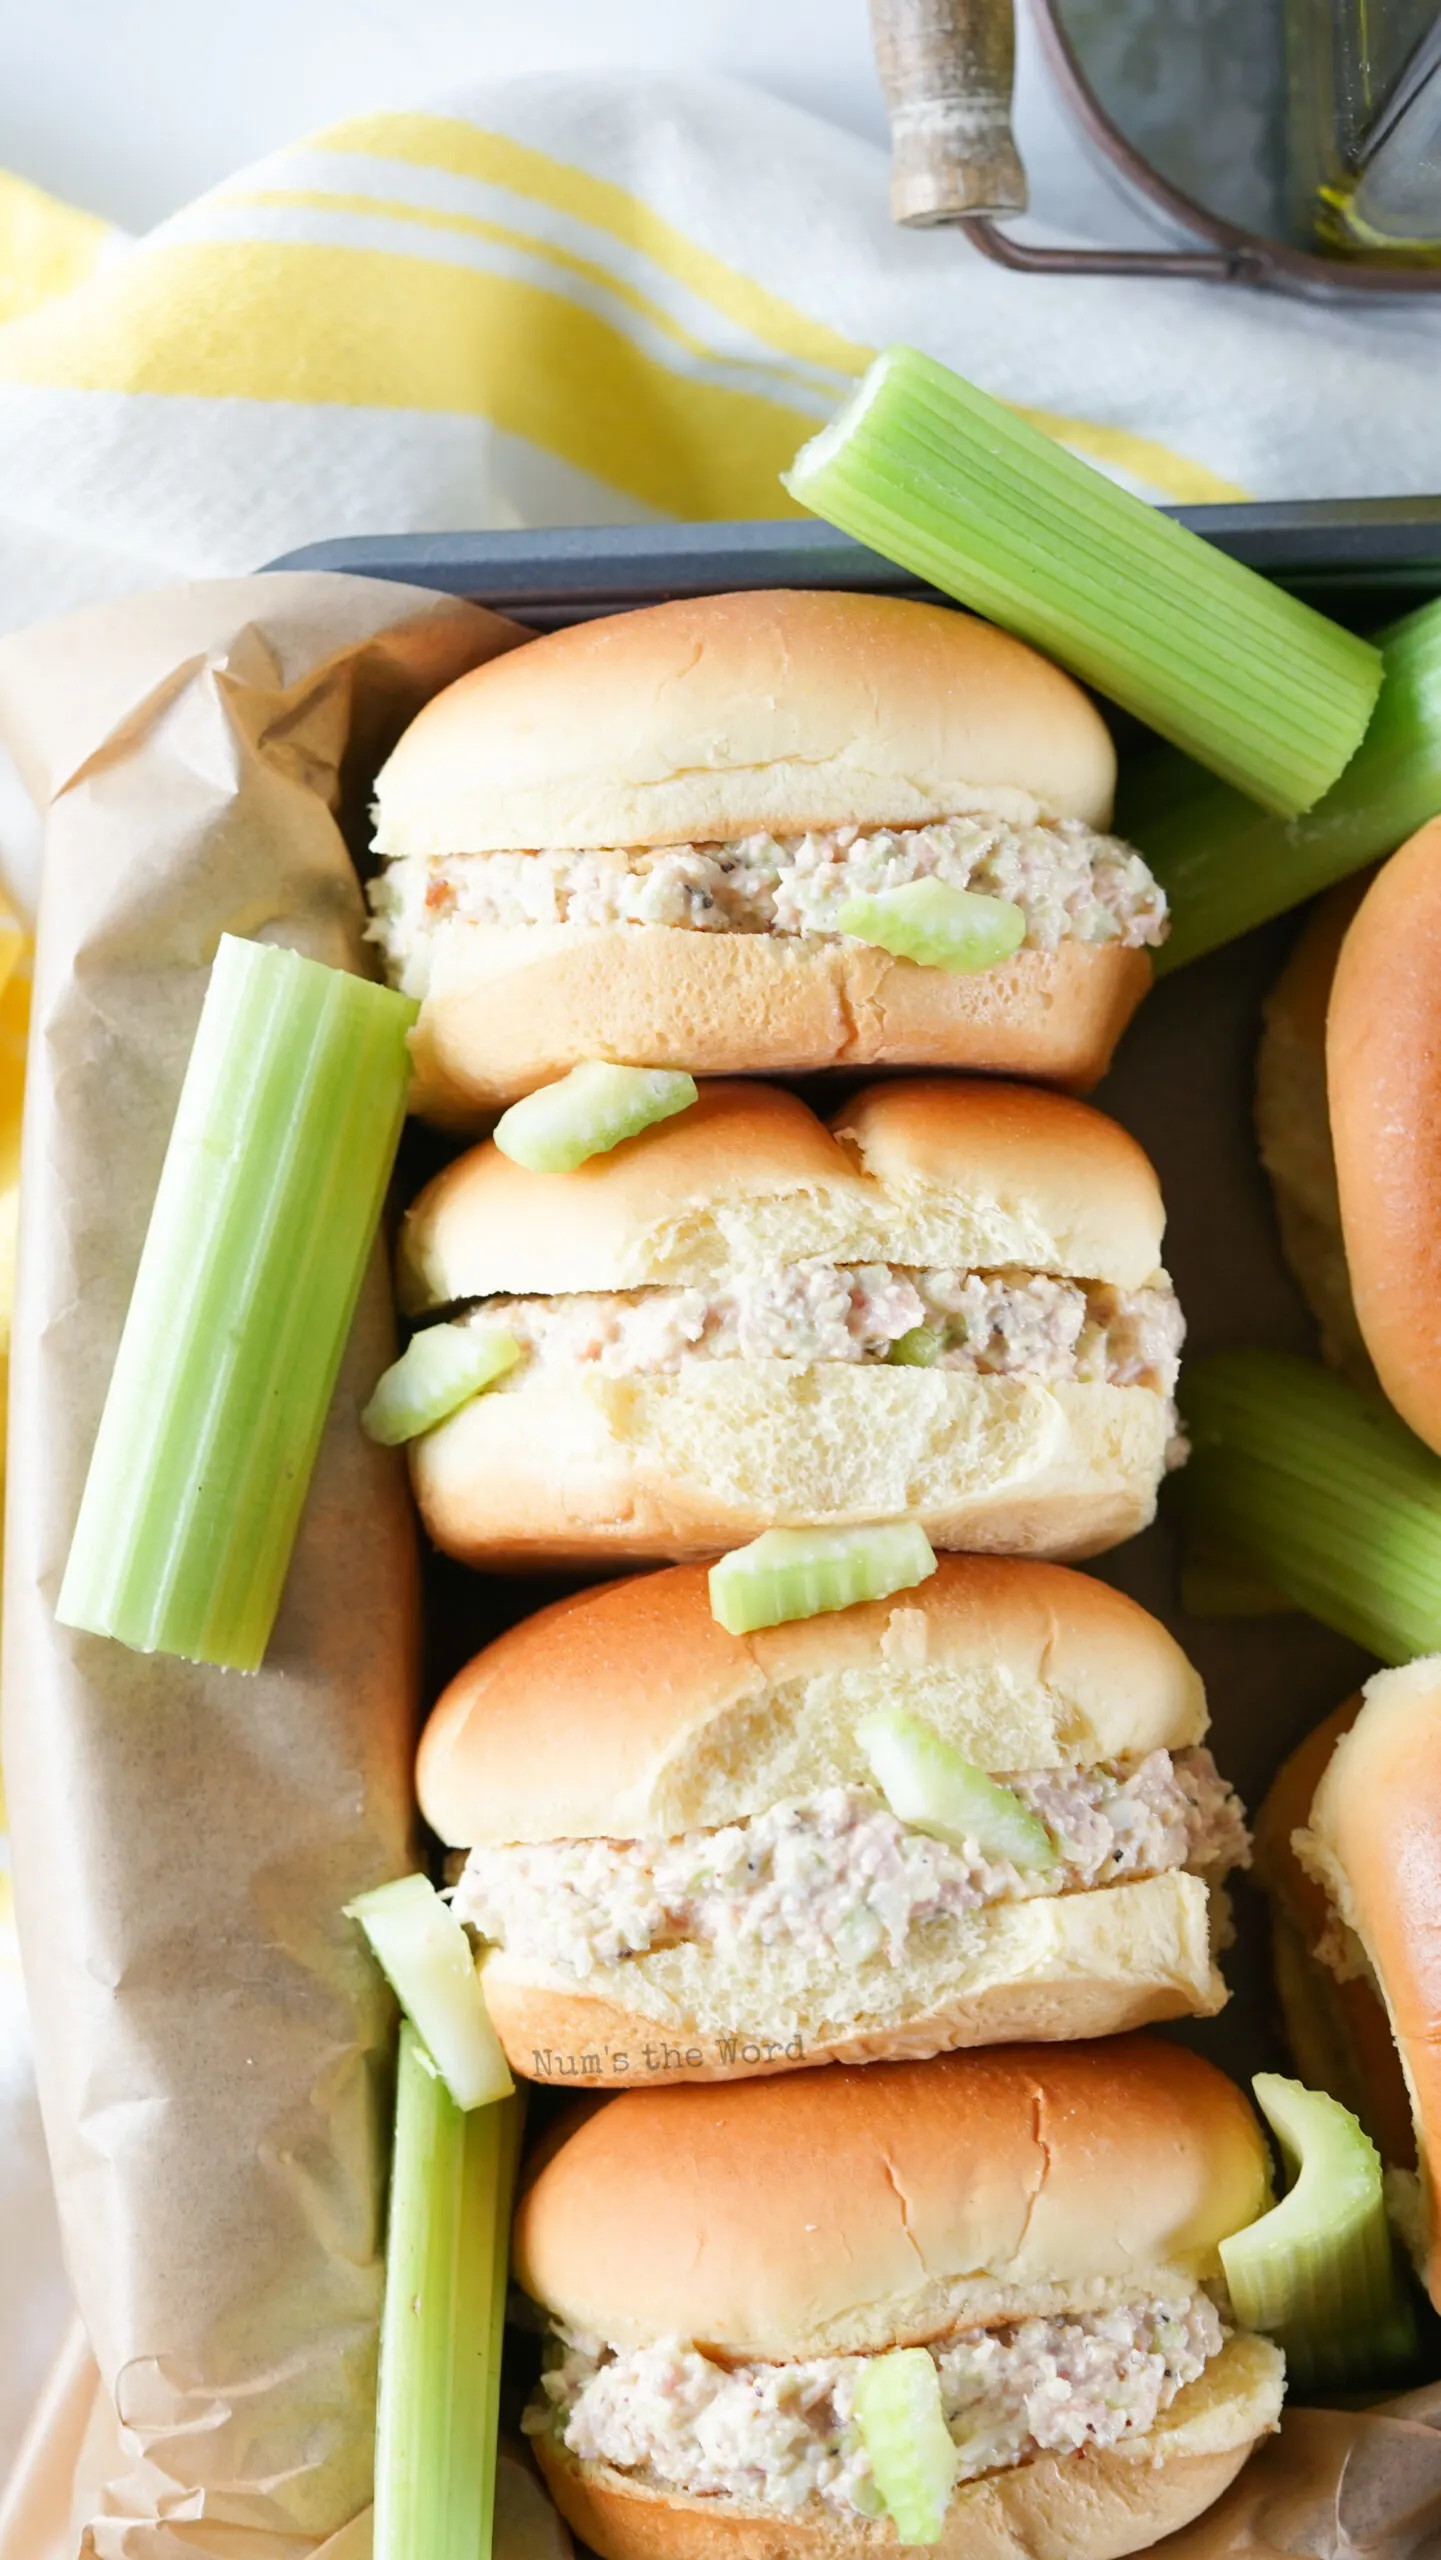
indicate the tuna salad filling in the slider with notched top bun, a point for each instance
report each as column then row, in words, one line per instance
column 997, row 1325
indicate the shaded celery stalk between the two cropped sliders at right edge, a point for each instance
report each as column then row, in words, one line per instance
column 1322, row 1491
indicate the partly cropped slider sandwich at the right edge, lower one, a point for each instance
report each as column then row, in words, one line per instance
column 1350, row 1855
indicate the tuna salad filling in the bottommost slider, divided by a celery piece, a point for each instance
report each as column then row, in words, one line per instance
column 784, row 2436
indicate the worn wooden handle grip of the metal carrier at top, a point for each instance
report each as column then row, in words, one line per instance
column 948, row 68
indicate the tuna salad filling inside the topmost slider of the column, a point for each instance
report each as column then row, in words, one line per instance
column 1069, row 882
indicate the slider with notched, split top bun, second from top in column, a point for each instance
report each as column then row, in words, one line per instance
column 946, row 1307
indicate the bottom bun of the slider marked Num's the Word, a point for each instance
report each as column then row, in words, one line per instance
column 1023, row 1972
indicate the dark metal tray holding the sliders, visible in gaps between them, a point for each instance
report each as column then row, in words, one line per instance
column 1181, row 1084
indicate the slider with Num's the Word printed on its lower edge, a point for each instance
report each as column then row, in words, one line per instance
column 969, row 1814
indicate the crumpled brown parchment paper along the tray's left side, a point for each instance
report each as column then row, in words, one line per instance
column 211, row 2042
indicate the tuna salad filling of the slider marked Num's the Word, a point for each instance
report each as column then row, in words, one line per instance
column 836, row 1875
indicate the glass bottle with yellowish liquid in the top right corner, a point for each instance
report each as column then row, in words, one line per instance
column 1365, row 127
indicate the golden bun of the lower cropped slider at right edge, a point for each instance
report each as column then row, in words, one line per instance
column 1376, row 1844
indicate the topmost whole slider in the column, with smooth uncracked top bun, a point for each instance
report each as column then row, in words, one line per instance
column 690, row 836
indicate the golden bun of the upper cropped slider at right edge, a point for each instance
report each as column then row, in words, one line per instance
column 1383, row 1071
